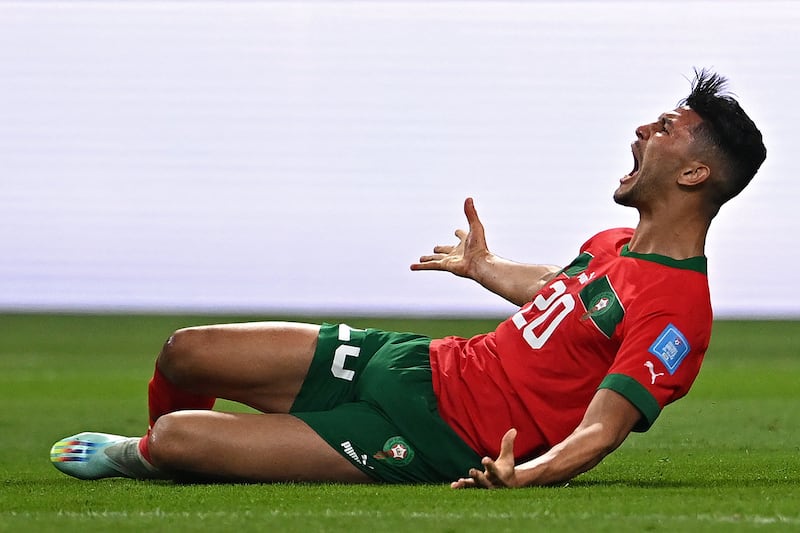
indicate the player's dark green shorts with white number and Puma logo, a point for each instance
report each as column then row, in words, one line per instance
column 369, row 394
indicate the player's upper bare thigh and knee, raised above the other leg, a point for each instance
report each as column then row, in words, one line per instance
column 260, row 364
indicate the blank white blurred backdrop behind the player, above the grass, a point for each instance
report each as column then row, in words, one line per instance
column 296, row 157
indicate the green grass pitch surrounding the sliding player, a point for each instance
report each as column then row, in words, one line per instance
column 725, row 458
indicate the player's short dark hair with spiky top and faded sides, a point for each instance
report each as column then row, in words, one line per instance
column 727, row 130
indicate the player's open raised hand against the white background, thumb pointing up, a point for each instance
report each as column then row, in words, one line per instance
column 465, row 258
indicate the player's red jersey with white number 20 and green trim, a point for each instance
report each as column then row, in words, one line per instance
column 638, row 324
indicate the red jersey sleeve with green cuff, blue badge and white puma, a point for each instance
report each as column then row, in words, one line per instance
column 664, row 341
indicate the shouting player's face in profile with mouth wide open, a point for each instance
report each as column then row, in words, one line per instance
column 660, row 152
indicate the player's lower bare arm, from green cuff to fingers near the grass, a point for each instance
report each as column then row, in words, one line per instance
column 609, row 419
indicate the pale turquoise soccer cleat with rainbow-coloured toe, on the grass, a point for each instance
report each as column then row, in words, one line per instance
column 99, row 455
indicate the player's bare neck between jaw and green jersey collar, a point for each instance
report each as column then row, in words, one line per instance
column 678, row 235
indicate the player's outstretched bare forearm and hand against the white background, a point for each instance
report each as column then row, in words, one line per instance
column 471, row 258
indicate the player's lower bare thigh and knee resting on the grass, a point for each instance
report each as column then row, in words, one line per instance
column 247, row 447
